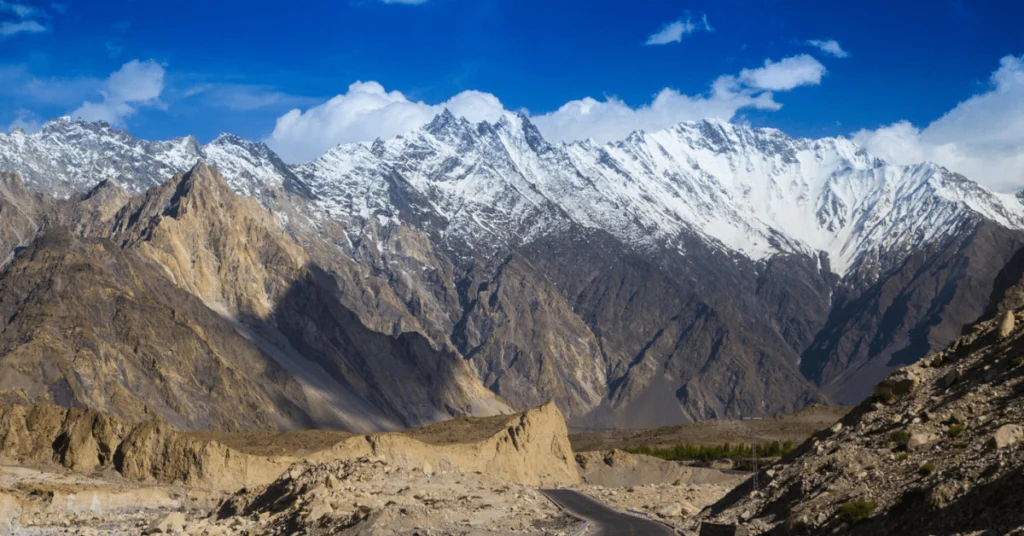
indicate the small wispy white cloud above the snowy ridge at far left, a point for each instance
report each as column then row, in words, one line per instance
column 136, row 85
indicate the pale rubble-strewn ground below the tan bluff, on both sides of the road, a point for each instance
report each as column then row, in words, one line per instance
column 358, row 498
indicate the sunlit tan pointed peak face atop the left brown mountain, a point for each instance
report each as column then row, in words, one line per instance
column 216, row 244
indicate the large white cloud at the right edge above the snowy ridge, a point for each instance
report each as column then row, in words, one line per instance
column 983, row 138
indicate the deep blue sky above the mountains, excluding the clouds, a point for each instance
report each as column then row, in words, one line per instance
column 909, row 61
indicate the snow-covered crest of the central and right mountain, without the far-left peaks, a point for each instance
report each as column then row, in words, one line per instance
column 753, row 191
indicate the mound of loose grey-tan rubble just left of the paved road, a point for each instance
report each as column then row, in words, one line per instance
column 368, row 498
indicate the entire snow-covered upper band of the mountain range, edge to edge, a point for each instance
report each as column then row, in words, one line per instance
column 756, row 192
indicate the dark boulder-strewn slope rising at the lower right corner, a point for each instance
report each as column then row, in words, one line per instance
column 938, row 449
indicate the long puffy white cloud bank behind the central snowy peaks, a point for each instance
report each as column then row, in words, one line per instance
column 367, row 111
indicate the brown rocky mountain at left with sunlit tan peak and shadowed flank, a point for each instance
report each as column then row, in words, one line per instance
column 191, row 304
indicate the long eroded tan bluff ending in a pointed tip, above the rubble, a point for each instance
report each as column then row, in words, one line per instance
column 530, row 448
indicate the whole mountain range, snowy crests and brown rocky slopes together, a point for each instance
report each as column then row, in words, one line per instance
column 710, row 270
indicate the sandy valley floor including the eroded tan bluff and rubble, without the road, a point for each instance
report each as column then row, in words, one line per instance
column 462, row 477
